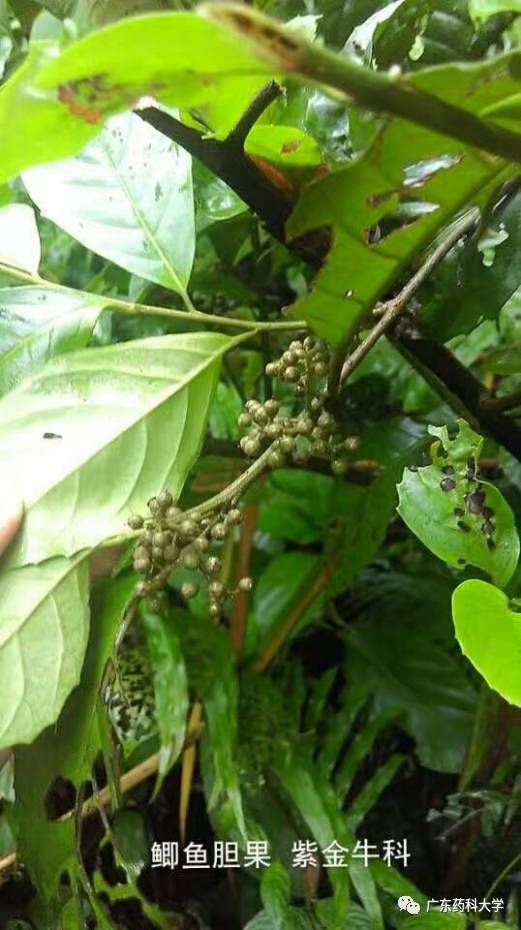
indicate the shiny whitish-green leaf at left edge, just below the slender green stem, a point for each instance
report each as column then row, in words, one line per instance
column 37, row 323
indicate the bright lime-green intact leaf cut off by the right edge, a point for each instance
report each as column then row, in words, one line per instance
column 488, row 629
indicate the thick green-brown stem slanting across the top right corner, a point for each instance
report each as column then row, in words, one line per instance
column 376, row 90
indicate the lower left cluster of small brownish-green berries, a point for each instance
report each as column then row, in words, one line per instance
column 171, row 538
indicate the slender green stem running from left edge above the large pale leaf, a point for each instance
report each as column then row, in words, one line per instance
column 135, row 309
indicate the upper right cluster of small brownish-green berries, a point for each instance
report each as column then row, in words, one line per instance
column 313, row 432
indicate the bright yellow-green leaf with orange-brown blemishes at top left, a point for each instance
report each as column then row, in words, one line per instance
column 182, row 59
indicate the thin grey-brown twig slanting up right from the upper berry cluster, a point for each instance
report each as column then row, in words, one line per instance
column 393, row 308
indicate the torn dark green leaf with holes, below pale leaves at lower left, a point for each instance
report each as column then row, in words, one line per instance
column 67, row 750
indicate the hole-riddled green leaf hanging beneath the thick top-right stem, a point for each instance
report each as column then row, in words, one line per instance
column 405, row 165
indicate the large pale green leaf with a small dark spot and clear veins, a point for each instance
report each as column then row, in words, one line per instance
column 136, row 410
